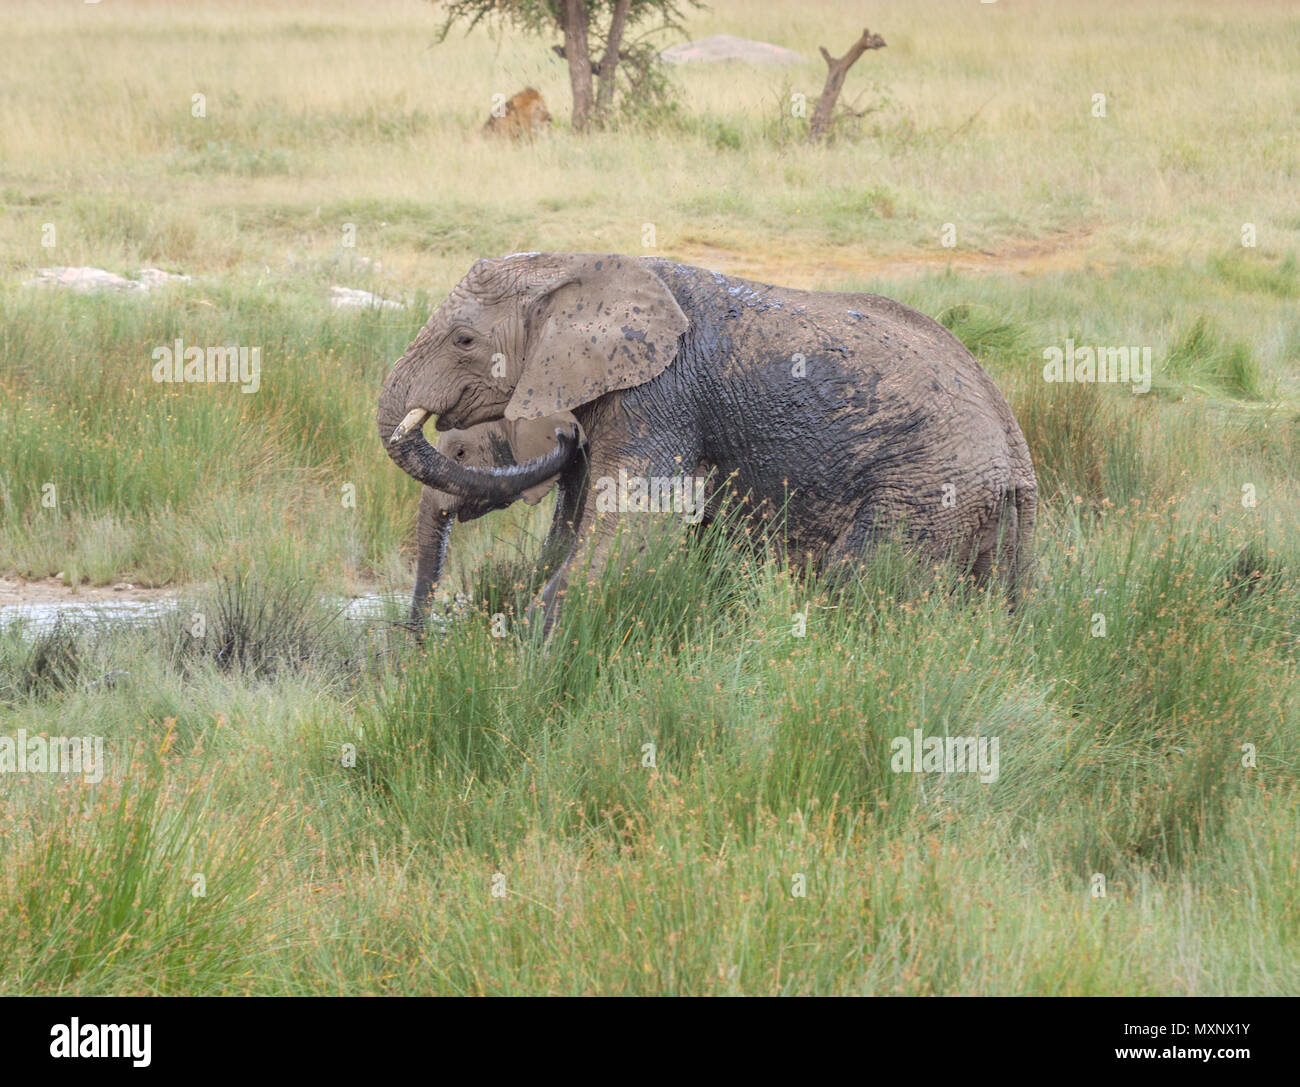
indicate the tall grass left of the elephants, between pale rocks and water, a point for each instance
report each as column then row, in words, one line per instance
column 168, row 482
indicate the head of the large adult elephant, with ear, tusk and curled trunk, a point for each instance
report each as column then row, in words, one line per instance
column 519, row 339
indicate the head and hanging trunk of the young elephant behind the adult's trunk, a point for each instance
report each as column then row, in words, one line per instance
column 501, row 444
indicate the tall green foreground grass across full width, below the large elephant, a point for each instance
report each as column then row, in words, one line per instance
column 356, row 830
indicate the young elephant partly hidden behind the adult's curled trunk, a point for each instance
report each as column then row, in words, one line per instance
column 497, row 444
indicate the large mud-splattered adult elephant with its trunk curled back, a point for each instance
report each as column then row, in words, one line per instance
column 866, row 415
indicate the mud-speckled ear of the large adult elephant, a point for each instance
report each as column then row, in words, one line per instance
column 596, row 323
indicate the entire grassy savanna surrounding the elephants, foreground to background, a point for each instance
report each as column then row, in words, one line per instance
column 1160, row 756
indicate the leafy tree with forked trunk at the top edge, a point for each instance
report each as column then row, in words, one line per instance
column 596, row 44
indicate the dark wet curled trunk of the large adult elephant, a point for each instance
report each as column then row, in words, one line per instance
column 404, row 440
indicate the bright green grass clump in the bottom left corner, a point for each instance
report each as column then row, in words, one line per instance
column 140, row 884
